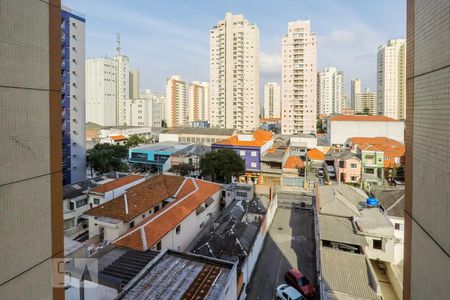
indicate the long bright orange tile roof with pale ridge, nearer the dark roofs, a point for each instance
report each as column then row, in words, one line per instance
column 156, row 226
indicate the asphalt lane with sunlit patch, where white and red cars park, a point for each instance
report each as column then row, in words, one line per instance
column 289, row 244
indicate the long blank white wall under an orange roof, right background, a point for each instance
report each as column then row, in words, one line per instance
column 340, row 131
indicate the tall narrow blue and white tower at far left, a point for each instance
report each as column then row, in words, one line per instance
column 73, row 96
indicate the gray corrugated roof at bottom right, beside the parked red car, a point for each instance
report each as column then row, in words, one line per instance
column 347, row 273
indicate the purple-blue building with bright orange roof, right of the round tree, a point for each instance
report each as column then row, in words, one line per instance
column 251, row 147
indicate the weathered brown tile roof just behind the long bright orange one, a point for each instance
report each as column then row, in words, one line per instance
column 140, row 198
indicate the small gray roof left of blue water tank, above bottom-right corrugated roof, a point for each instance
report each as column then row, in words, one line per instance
column 337, row 229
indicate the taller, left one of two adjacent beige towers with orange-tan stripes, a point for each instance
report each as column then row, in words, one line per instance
column 175, row 102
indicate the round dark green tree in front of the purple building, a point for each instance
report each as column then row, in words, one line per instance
column 221, row 165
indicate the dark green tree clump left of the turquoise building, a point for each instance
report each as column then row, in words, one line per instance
column 104, row 158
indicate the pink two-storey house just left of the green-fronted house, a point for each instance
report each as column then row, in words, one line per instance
column 347, row 167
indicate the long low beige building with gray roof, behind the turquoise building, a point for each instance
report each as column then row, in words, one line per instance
column 188, row 135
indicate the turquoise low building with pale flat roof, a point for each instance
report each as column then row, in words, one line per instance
column 154, row 157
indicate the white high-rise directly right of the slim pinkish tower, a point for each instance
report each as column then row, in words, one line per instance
column 330, row 91
